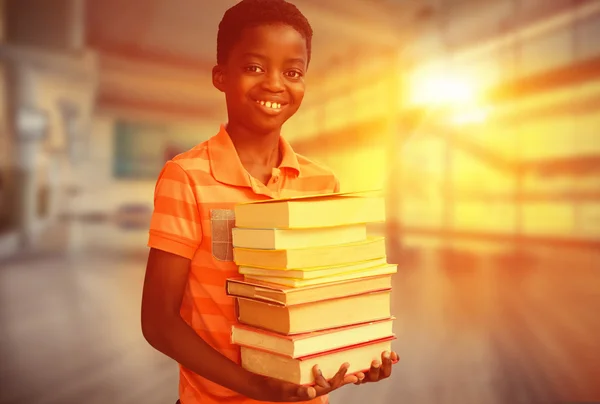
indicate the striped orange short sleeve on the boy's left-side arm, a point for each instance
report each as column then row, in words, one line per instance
column 176, row 225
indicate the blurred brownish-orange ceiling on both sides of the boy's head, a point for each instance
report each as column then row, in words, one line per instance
column 156, row 55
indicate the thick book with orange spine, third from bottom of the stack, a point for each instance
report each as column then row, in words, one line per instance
column 314, row 316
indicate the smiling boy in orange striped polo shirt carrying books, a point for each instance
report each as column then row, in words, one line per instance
column 263, row 51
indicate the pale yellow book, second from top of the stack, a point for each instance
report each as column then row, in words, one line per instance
column 278, row 239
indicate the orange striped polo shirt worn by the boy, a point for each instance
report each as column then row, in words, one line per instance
column 193, row 216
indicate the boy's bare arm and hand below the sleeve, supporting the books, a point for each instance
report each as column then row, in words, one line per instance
column 165, row 330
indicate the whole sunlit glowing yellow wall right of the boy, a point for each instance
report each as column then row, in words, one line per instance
column 470, row 186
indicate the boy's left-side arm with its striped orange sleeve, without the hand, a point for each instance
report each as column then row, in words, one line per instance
column 175, row 234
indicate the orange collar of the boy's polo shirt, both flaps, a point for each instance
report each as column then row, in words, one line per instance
column 226, row 166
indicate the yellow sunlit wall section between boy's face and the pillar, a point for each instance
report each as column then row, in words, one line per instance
column 344, row 122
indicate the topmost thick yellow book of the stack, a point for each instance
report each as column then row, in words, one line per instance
column 310, row 212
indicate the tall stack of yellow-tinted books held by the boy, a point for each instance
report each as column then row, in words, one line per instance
column 314, row 287
